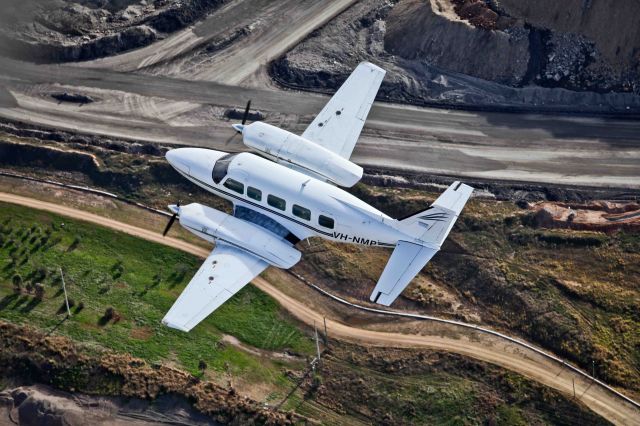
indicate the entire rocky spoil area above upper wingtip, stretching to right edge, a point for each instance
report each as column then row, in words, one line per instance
column 513, row 54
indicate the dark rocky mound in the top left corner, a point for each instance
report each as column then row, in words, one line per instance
column 76, row 30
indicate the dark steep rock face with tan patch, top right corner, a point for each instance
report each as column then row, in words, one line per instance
column 554, row 44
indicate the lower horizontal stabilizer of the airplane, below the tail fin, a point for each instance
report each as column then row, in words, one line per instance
column 405, row 263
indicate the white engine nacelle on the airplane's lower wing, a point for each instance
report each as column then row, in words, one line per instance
column 221, row 228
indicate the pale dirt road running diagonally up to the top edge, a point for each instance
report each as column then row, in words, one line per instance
column 268, row 31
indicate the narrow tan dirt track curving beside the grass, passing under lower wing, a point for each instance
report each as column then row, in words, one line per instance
column 455, row 339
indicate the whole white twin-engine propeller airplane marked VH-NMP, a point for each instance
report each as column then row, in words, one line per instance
column 292, row 196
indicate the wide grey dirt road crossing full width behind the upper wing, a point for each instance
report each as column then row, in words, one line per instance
column 586, row 151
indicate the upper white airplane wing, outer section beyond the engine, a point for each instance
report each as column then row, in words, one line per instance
column 340, row 122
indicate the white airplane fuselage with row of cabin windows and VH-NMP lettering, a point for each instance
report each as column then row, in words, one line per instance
column 304, row 205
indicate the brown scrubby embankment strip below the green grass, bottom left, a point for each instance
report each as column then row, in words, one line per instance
column 32, row 357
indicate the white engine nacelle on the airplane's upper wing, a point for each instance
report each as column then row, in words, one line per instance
column 287, row 148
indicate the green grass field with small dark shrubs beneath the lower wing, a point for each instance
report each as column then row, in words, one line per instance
column 140, row 281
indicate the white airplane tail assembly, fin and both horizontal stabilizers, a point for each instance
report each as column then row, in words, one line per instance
column 430, row 227
